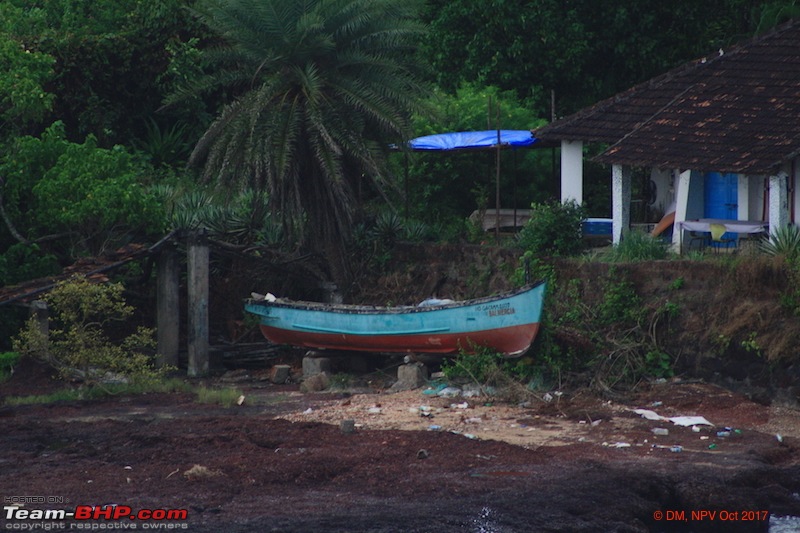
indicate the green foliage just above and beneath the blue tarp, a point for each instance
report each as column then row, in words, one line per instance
column 459, row 182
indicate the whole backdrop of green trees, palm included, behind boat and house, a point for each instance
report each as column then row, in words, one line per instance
column 300, row 100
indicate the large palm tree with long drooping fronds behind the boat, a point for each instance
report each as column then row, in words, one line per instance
column 321, row 88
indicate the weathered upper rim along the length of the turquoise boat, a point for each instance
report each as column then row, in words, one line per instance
column 374, row 309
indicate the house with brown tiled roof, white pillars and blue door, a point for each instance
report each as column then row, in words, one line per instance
column 720, row 135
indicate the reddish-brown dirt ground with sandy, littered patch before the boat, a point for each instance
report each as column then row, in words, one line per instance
column 415, row 462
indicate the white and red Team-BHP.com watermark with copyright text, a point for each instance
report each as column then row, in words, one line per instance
column 18, row 517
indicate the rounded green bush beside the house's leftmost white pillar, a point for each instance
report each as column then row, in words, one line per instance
column 554, row 229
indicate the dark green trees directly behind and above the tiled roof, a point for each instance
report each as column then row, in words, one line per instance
column 584, row 51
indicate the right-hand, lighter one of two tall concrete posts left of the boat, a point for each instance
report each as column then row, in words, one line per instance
column 197, row 283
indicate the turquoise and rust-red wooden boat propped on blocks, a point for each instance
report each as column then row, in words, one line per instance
column 507, row 323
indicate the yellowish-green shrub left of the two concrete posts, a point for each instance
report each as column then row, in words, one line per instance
column 78, row 343
